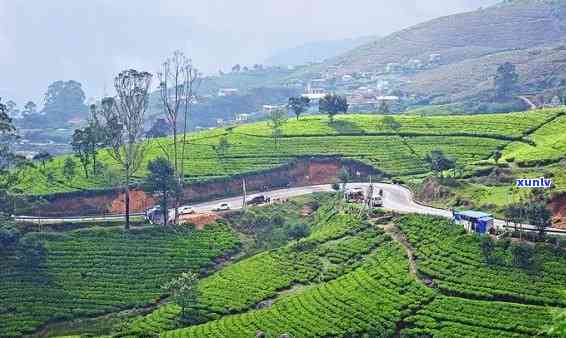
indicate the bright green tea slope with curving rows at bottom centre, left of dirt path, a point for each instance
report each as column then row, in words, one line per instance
column 370, row 299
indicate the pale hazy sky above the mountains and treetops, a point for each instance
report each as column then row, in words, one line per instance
column 90, row 41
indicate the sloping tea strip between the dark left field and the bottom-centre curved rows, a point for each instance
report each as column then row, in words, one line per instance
column 336, row 247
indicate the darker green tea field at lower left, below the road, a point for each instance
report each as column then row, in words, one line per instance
column 91, row 272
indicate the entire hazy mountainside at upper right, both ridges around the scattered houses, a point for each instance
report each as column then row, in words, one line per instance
column 468, row 47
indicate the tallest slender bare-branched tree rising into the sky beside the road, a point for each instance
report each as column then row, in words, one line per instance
column 177, row 83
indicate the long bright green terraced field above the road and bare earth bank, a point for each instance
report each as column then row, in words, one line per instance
column 362, row 137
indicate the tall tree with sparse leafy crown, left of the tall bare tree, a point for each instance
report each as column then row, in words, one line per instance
column 124, row 120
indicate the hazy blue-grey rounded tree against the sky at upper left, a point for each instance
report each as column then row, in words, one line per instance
column 64, row 100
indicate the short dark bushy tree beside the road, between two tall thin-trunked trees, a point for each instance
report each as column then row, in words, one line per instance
column 162, row 180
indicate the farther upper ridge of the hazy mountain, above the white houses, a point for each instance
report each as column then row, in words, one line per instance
column 514, row 25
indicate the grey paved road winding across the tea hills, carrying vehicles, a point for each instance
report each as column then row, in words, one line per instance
column 395, row 197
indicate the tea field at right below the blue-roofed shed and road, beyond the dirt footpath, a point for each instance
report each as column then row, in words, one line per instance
column 454, row 260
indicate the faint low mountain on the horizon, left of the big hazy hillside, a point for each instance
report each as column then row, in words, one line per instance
column 316, row 51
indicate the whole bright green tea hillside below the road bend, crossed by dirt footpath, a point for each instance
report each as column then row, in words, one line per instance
column 354, row 278
